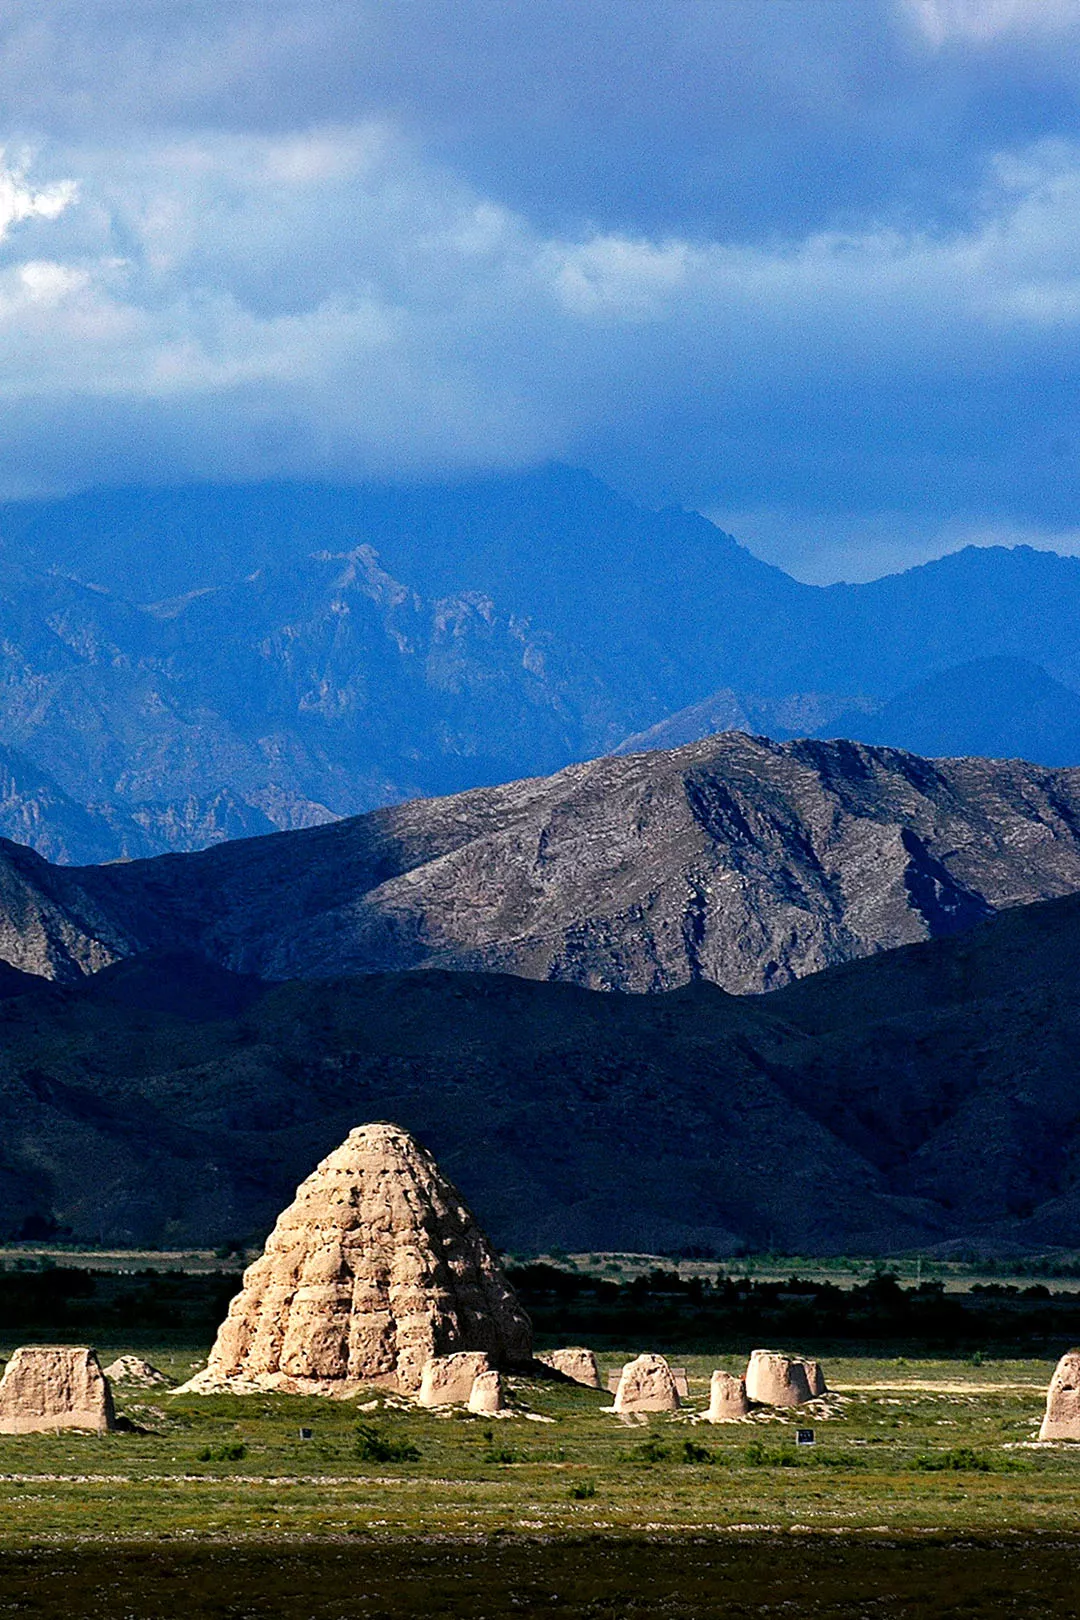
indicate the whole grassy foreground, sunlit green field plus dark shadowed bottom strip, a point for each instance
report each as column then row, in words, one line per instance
column 922, row 1496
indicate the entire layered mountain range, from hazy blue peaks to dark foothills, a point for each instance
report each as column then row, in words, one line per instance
column 614, row 868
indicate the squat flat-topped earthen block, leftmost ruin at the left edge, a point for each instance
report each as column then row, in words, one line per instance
column 49, row 1388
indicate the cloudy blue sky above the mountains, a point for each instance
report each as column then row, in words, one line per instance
column 809, row 266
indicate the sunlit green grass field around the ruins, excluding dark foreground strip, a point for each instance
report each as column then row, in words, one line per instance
column 901, row 1447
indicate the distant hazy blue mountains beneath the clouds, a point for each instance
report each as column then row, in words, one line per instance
column 190, row 665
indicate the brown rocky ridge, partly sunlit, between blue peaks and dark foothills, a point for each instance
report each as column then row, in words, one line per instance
column 734, row 861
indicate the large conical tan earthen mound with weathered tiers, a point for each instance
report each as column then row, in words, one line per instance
column 373, row 1269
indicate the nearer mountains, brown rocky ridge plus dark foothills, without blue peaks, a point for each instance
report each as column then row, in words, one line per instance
column 184, row 1038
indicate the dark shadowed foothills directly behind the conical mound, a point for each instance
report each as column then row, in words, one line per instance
column 911, row 1101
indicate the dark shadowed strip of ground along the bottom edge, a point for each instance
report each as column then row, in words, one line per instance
column 587, row 1580
